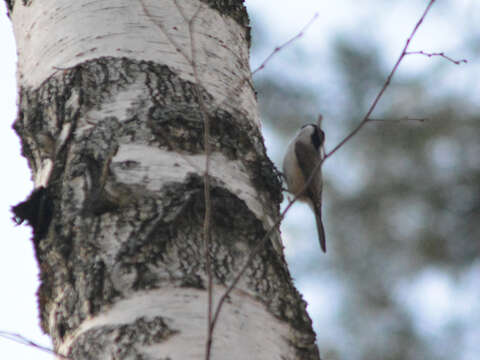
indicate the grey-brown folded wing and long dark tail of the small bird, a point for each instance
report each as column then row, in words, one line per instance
column 308, row 159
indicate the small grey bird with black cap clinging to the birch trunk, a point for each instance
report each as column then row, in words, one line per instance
column 304, row 152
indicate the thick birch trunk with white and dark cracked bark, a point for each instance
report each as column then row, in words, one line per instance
column 112, row 124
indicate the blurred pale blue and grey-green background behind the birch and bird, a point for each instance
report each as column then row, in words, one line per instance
column 401, row 279
